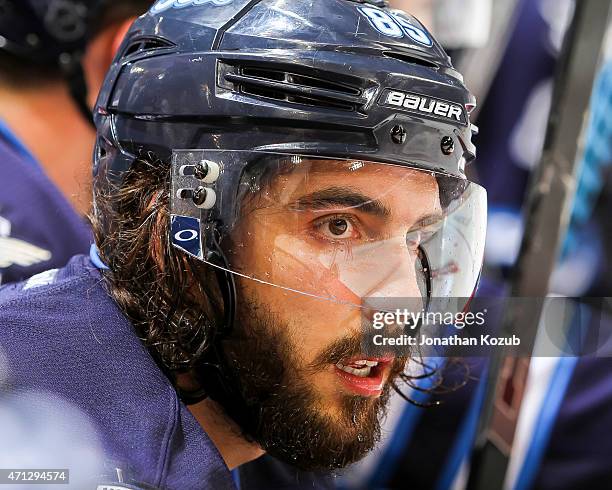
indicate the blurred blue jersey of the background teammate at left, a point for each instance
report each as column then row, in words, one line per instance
column 39, row 229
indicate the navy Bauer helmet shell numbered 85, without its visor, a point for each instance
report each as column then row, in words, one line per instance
column 336, row 77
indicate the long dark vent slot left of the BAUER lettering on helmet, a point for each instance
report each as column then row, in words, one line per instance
column 295, row 88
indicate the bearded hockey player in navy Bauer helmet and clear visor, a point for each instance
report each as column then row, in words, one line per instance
column 262, row 172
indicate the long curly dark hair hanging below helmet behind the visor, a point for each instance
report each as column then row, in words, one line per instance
column 151, row 281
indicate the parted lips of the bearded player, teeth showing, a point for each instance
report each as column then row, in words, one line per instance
column 364, row 376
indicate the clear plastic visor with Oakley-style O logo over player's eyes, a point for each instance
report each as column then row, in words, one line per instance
column 339, row 229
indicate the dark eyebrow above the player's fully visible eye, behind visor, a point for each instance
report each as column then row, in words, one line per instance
column 342, row 197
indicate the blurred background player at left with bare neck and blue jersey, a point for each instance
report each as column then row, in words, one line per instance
column 53, row 58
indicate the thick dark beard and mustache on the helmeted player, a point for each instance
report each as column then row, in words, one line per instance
column 279, row 408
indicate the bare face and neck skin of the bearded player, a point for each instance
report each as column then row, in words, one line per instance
column 315, row 248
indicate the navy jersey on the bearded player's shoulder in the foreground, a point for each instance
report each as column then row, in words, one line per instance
column 61, row 334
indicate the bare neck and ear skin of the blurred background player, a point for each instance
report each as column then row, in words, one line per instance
column 46, row 119
